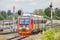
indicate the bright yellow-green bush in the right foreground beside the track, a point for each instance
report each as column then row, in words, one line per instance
column 48, row 35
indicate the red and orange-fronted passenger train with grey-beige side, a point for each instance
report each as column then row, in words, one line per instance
column 30, row 24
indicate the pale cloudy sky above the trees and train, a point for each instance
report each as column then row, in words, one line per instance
column 27, row 5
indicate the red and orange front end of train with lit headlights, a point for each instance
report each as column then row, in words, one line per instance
column 24, row 25
